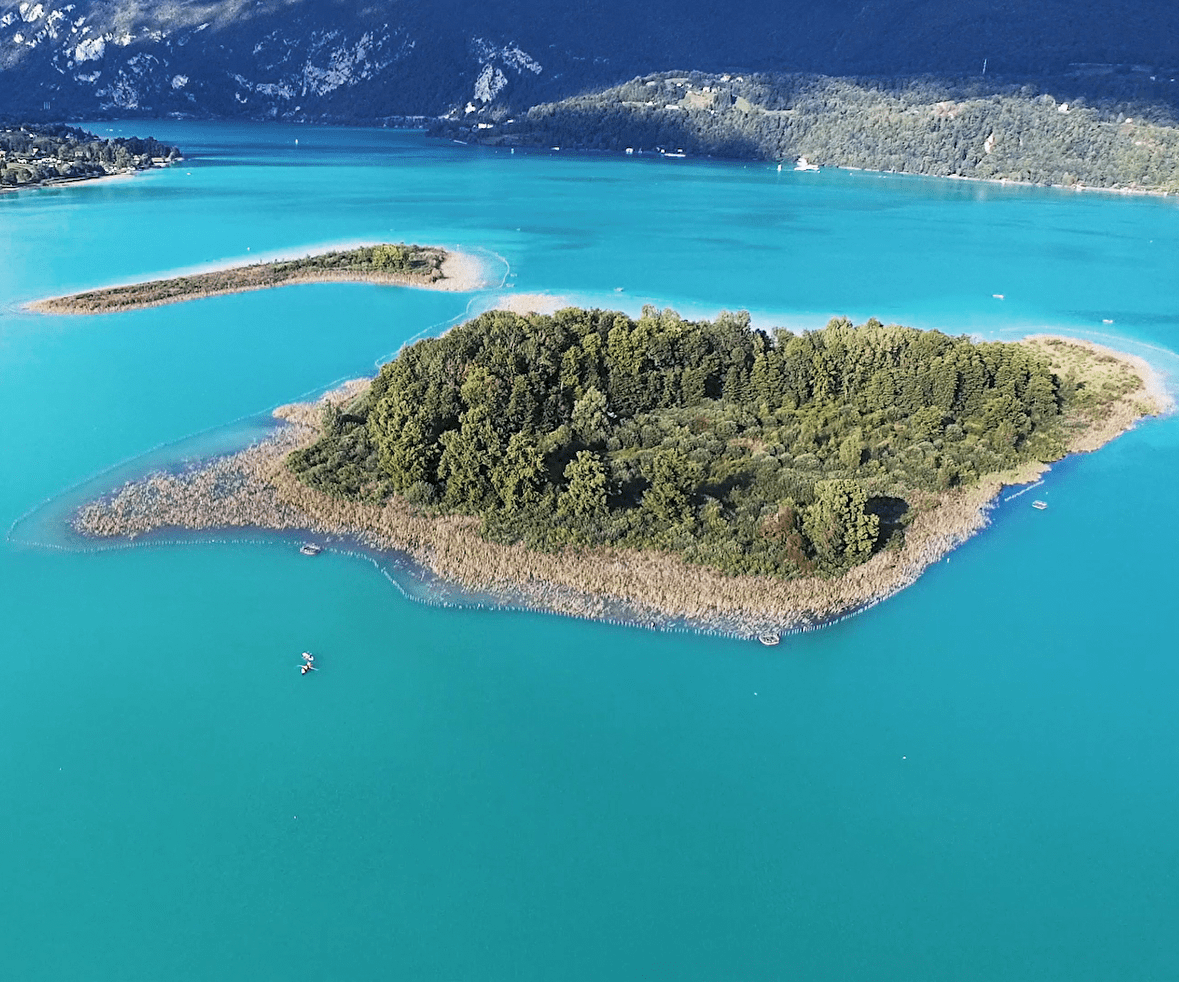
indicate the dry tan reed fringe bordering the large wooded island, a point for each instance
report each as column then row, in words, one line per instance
column 254, row 490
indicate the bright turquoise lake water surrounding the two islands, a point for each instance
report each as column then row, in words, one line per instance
column 978, row 780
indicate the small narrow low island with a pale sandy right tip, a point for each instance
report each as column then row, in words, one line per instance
column 386, row 263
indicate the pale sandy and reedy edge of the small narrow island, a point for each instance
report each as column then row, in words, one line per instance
column 460, row 273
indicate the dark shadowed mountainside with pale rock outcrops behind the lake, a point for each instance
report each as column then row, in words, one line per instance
column 335, row 61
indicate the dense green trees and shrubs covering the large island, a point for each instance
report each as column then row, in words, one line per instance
column 786, row 454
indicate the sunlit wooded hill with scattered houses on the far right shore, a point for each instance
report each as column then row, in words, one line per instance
column 970, row 129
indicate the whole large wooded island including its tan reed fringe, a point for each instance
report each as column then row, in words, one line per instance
column 663, row 470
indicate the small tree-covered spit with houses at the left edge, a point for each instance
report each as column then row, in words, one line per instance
column 44, row 154
